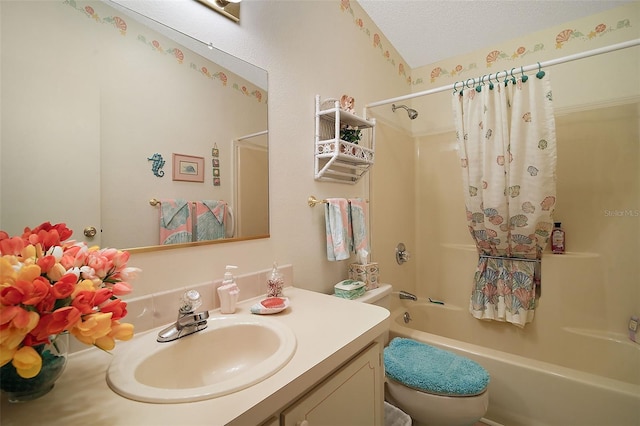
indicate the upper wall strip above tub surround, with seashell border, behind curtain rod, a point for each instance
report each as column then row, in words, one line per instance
column 581, row 84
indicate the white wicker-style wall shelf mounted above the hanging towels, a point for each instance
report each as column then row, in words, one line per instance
column 337, row 160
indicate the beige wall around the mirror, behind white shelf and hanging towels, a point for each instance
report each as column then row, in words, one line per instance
column 308, row 48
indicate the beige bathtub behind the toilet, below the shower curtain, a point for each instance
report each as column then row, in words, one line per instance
column 524, row 390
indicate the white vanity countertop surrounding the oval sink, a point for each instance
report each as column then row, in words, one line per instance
column 329, row 331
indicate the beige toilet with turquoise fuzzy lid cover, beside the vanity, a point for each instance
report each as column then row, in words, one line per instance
column 415, row 383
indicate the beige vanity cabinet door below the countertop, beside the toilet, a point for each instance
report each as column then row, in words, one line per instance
column 351, row 396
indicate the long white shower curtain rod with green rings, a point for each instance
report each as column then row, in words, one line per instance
column 582, row 55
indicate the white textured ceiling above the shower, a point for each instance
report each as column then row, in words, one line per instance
column 427, row 31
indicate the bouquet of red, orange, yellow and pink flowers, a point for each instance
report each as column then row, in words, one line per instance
column 50, row 285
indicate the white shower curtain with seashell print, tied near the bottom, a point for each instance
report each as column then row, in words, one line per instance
column 507, row 147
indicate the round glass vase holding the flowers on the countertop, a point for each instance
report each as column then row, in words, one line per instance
column 54, row 360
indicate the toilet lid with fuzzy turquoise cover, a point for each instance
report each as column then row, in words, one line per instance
column 429, row 369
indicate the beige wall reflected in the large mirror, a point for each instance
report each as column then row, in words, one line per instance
column 113, row 92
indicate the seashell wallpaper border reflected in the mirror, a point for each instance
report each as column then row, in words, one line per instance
column 198, row 64
